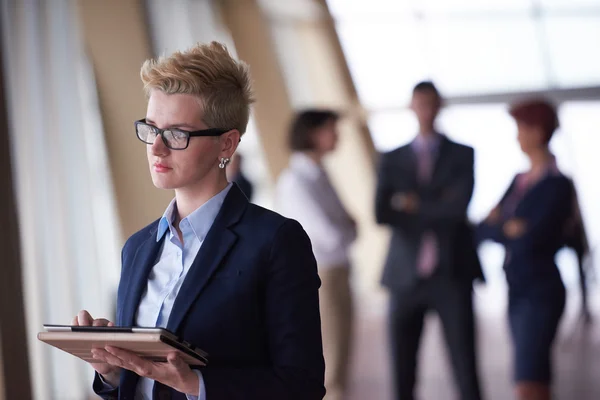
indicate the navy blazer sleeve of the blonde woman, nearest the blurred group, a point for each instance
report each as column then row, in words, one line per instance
column 291, row 307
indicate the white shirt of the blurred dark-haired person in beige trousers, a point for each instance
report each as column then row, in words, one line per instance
column 304, row 193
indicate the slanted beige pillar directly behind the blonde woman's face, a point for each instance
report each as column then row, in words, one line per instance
column 117, row 40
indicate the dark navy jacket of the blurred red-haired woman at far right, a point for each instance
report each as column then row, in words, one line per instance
column 546, row 209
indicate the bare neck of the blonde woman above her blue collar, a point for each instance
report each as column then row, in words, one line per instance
column 191, row 198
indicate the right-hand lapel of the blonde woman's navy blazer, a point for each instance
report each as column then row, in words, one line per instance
column 216, row 246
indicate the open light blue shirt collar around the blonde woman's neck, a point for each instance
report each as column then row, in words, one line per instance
column 200, row 220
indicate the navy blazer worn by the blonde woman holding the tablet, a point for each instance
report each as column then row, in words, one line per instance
column 250, row 300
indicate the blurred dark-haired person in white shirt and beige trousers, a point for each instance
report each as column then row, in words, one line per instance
column 305, row 193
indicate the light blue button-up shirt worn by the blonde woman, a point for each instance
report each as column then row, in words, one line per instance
column 170, row 270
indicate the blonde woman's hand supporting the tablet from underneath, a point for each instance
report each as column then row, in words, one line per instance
column 174, row 373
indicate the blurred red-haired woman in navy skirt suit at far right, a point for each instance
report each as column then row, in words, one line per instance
column 531, row 221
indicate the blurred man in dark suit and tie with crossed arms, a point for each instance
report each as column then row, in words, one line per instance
column 423, row 192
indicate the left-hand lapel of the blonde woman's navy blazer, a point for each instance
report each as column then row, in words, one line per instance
column 142, row 264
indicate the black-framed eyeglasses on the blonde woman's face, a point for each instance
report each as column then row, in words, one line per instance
column 174, row 139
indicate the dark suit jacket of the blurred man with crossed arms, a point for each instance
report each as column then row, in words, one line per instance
column 442, row 210
